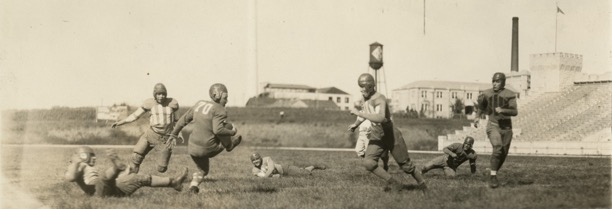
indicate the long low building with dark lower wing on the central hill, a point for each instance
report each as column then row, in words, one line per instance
column 302, row 96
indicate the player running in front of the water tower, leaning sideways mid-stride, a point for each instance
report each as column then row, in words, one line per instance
column 376, row 110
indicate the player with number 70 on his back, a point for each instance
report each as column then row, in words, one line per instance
column 210, row 133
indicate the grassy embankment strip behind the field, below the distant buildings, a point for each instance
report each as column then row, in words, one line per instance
column 259, row 126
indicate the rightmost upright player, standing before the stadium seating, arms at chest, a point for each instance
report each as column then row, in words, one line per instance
column 499, row 104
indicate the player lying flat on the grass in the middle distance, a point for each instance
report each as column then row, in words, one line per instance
column 265, row 167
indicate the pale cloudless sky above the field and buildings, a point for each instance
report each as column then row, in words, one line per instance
column 77, row 53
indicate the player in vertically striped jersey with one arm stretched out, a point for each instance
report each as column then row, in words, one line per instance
column 162, row 120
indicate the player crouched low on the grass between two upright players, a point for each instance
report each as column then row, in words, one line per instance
column 454, row 155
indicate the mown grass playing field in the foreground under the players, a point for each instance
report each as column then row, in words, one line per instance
column 557, row 183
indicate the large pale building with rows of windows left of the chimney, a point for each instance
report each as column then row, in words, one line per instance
column 436, row 98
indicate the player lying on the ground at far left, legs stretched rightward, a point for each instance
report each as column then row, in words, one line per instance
column 116, row 181
